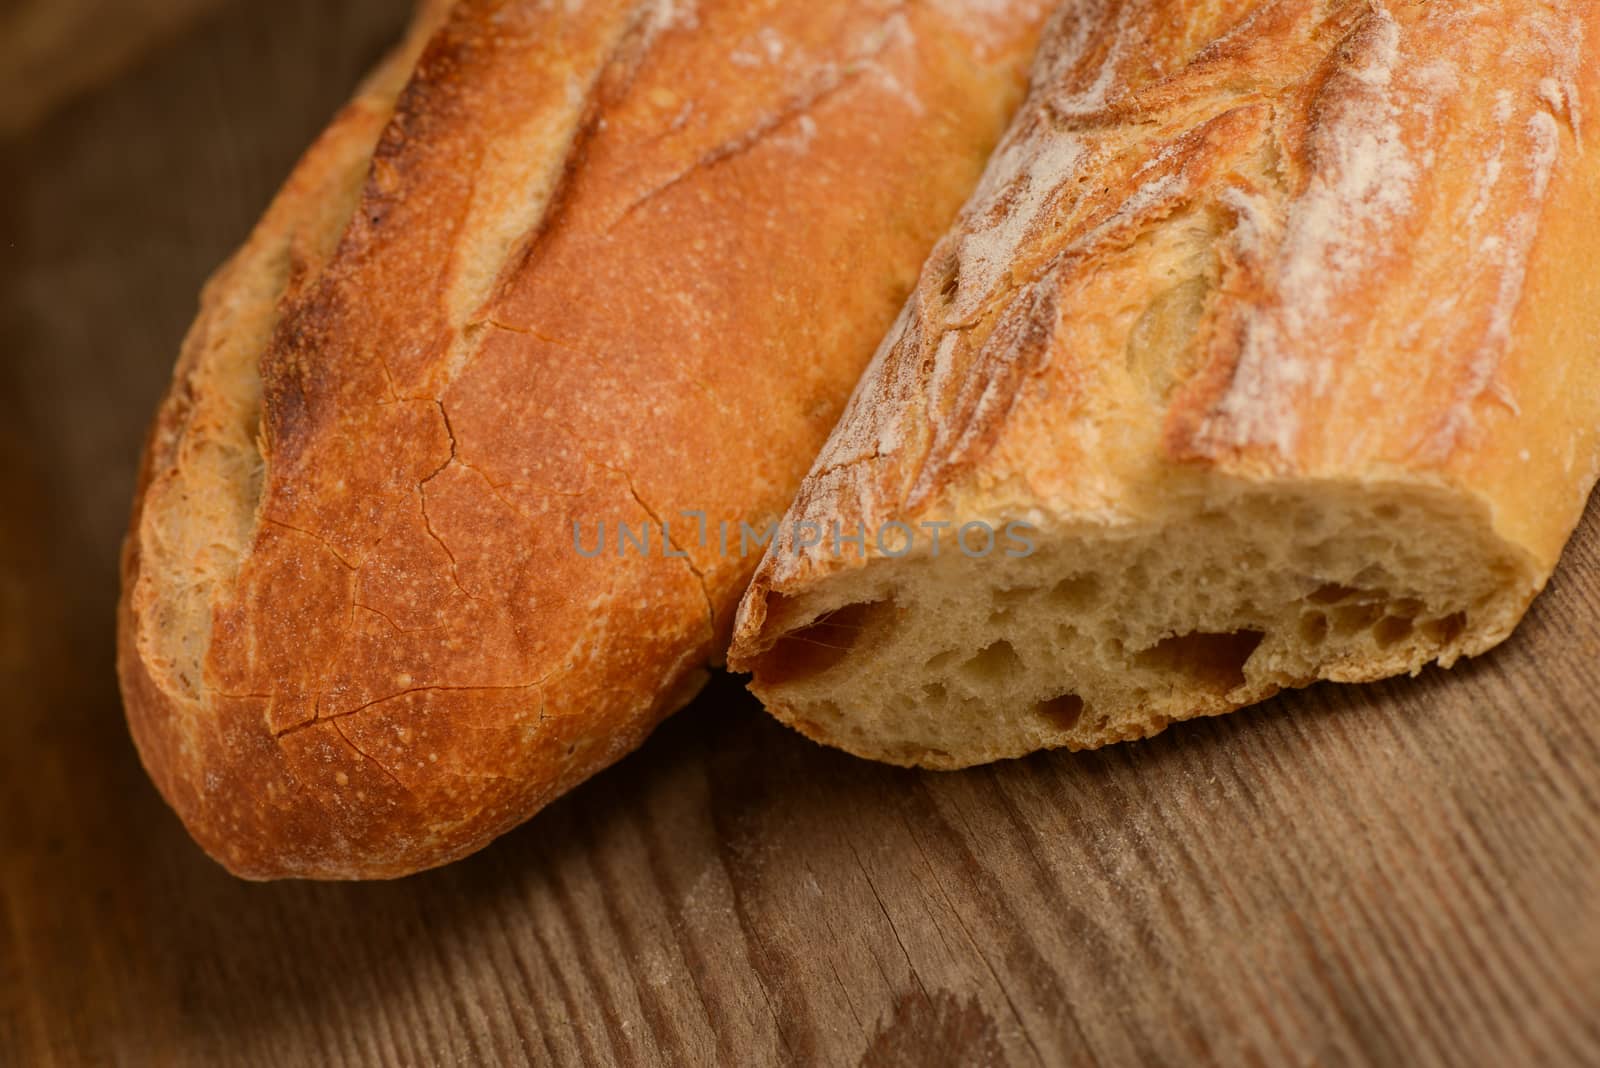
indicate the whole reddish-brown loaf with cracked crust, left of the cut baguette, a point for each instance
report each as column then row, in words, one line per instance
column 588, row 266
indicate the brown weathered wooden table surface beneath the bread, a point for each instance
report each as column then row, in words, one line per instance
column 1399, row 874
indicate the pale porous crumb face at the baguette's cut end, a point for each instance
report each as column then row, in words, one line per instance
column 1113, row 632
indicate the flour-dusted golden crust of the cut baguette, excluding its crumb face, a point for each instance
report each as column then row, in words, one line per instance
column 1374, row 210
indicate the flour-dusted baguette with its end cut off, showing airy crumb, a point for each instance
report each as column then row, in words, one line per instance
column 1278, row 329
